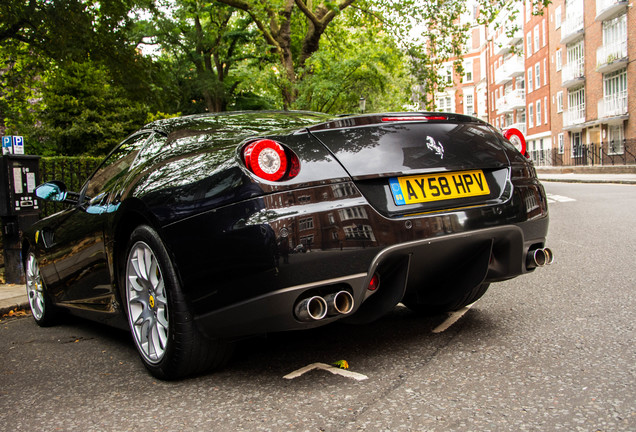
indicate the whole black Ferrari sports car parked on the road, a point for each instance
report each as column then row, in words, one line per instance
column 199, row 230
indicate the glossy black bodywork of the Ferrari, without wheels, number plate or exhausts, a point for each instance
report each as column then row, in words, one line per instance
column 233, row 237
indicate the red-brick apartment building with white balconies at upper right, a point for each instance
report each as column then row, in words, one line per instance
column 562, row 77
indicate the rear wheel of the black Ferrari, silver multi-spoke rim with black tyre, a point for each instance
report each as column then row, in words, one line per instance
column 161, row 323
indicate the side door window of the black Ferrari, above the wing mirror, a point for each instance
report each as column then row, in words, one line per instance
column 114, row 167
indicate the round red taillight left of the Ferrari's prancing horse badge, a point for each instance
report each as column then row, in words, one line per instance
column 269, row 160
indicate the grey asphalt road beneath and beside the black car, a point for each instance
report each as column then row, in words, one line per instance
column 553, row 350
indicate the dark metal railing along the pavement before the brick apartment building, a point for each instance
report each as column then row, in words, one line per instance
column 587, row 155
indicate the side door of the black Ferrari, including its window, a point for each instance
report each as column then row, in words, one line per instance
column 78, row 244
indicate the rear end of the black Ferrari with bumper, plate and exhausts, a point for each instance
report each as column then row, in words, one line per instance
column 369, row 210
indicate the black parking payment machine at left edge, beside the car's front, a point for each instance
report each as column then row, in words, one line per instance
column 19, row 208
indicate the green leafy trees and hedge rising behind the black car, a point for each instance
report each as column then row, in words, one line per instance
column 76, row 76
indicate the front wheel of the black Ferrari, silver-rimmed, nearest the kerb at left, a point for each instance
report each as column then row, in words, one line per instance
column 44, row 312
